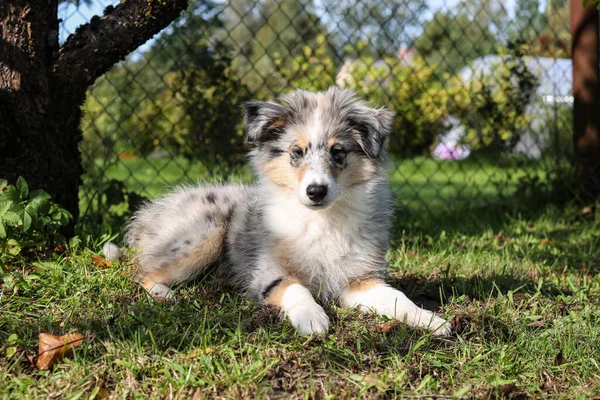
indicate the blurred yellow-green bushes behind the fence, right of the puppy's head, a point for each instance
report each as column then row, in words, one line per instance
column 491, row 107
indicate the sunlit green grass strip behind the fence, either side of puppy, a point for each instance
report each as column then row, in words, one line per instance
column 419, row 182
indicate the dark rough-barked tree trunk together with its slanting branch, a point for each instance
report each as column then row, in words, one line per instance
column 43, row 84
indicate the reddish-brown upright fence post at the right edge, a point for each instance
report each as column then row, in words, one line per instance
column 586, row 92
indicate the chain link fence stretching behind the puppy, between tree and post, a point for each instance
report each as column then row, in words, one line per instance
column 481, row 90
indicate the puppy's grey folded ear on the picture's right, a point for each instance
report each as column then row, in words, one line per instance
column 372, row 127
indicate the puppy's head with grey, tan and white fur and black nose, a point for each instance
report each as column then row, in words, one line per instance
column 317, row 144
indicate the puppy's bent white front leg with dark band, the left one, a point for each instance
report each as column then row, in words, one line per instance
column 298, row 304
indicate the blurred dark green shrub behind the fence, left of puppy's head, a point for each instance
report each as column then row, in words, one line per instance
column 190, row 110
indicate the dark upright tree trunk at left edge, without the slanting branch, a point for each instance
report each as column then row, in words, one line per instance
column 38, row 129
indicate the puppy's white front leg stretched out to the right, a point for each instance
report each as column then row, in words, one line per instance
column 375, row 295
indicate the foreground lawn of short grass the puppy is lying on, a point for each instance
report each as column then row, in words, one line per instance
column 521, row 287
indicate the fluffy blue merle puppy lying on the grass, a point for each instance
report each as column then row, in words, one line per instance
column 315, row 226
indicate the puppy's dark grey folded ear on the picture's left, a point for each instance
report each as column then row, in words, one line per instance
column 265, row 120
